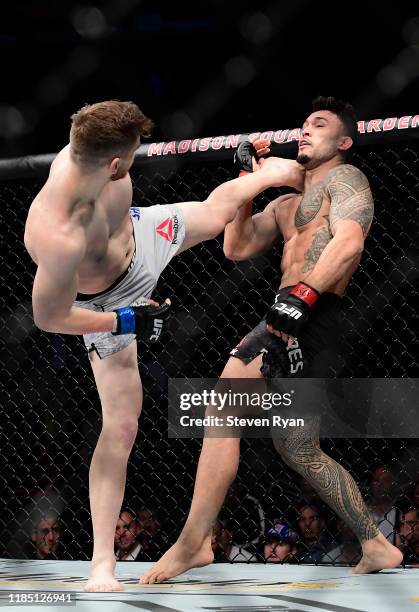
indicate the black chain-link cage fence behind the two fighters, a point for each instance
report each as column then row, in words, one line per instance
column 50, row 411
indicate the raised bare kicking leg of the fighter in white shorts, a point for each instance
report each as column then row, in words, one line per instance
column 205, row 220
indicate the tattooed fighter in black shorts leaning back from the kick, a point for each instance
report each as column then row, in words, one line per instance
column 323, row 230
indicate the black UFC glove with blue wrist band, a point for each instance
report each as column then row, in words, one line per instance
column 145, row 321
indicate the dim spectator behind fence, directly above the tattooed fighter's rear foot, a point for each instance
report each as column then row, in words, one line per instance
column 381, row 500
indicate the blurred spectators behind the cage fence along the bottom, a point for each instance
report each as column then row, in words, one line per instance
column 244, row 531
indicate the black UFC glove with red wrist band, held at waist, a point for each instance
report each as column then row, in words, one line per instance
column 290, row 314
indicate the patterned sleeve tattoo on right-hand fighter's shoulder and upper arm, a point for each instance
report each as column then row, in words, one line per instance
column 351, row 197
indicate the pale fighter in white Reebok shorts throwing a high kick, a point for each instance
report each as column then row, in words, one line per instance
column 98, row 260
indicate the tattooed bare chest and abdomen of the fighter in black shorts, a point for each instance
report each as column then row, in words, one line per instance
column 303, row 221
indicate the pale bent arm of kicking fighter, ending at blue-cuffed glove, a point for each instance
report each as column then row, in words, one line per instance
column 55, row 288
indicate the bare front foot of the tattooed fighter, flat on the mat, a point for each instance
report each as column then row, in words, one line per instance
column 178, row 559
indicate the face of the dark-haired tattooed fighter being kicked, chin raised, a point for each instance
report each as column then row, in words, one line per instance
column 322, row 135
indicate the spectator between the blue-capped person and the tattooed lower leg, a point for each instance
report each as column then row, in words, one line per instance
column 313, row 540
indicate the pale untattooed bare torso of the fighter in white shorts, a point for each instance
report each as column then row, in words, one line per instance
column 60, row 213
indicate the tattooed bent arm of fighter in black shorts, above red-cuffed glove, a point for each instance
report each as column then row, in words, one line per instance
column 351, row 215
